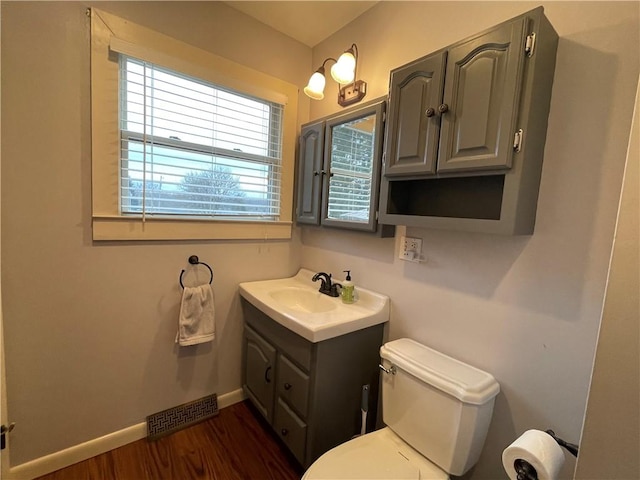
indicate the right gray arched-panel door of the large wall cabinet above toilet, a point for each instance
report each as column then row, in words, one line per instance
column 482, row 89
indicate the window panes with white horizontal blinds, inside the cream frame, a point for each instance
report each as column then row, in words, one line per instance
column 191, row 148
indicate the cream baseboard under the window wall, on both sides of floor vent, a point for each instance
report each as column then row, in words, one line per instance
column 83, row 451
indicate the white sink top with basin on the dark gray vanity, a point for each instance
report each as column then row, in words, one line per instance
column 296, row 304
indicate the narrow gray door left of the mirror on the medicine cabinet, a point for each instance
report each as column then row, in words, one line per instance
column 310, row 173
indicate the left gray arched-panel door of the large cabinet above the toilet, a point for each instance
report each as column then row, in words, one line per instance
column 415, row 92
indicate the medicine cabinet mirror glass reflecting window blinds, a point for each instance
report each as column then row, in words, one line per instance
column 351, row 172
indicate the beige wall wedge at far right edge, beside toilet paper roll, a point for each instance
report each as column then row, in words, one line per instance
column 611, row 433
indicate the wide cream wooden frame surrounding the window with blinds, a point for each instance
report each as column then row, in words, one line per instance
column 112, row 36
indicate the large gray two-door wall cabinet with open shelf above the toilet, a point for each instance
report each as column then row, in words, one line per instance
column 466, row 131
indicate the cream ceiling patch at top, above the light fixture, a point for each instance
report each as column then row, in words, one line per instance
column 308, row 22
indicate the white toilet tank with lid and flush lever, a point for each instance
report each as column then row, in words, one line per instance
column 440, row 406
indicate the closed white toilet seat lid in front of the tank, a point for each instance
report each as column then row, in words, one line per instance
column 380, row 455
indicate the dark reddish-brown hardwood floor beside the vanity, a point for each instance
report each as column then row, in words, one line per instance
column 236, row 444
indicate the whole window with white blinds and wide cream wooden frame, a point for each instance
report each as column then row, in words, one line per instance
column 186, row 145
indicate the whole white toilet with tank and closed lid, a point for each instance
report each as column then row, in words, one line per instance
column 437, row 411
